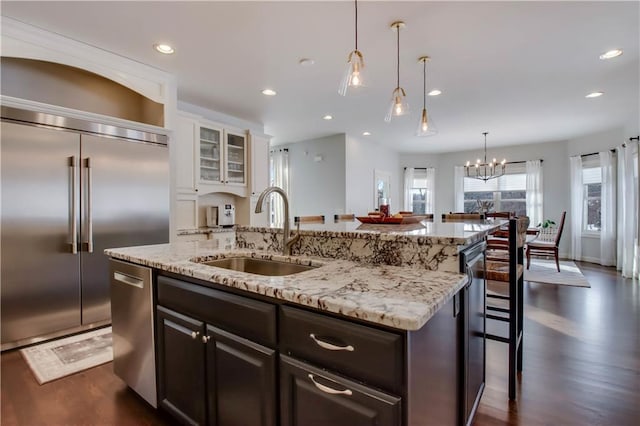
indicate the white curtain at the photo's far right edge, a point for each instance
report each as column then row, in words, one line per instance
column 628, row 261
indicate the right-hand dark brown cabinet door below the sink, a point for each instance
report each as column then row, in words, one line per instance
column 240, row 380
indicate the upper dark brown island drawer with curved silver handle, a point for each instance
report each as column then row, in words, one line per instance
column 358, row 351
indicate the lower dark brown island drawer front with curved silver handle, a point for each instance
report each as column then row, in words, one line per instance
column 310, row 396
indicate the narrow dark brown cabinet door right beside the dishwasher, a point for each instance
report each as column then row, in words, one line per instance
column 181, row 368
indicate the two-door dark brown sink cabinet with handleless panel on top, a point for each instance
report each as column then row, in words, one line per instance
column 208, row 375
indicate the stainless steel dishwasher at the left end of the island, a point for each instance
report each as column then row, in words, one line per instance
column 132, row 323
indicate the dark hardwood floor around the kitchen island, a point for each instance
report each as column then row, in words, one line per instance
column 581, row 367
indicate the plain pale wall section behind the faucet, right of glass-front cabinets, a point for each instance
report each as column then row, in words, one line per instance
column 317, row 176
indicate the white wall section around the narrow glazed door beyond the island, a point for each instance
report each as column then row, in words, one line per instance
column 363, row 157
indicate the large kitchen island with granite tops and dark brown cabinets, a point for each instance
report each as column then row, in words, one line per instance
column 345, row 342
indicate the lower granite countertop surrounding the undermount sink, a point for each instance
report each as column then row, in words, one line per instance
column 400, row 297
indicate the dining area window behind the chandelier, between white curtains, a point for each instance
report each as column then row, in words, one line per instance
column 507, row 193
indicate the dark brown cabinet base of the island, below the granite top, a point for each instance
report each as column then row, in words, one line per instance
column 225, row 359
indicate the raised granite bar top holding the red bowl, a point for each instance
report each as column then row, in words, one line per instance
column 459, row 233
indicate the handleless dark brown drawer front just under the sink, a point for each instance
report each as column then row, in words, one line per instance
column 244, row 316
